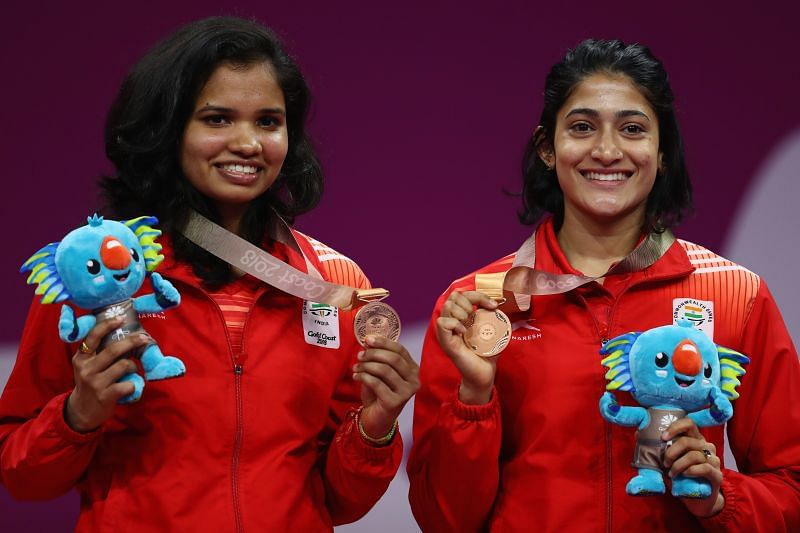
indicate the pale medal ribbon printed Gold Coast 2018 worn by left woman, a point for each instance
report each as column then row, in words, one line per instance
column 258, row 263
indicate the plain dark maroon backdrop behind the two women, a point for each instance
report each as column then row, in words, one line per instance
column 420, row 117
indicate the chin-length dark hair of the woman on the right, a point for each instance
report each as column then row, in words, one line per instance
column 671, row 196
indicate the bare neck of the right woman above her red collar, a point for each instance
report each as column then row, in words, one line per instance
column 593, row 246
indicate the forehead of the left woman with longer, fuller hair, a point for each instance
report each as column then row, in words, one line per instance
column 241, row 81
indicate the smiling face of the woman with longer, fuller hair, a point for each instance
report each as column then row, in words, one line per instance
column 236, row 139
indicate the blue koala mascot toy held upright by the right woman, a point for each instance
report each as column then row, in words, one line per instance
column 672, row 372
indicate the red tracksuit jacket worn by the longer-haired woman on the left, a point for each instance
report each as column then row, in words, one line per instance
column 262, row 442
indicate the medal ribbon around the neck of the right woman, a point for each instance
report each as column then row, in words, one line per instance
column 524, row 281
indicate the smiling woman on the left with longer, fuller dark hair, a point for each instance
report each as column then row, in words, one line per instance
column 270, row 428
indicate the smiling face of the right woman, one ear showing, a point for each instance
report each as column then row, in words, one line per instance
column 605, row 150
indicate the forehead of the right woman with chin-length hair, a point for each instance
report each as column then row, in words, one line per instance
column 607, row 92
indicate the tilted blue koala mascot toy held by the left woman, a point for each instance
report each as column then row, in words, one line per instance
column 99, row 267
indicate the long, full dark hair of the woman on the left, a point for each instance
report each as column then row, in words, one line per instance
column 146, row 123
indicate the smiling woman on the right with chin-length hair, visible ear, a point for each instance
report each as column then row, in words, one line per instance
column 517, row 441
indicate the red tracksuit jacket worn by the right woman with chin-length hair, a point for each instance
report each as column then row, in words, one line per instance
column 540, row 457
